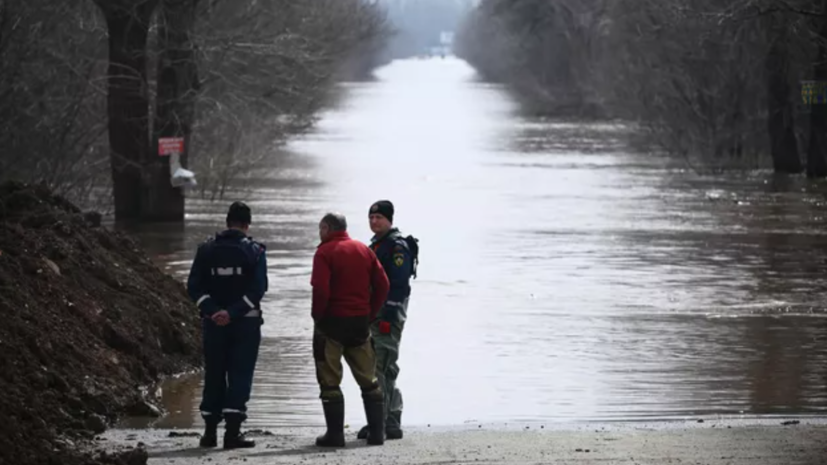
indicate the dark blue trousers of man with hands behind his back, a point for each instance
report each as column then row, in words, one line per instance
column 230, row 355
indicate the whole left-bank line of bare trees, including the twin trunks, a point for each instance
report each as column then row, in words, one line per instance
column 88, row 87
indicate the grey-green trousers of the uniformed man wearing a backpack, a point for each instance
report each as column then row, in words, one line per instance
column 387, row 367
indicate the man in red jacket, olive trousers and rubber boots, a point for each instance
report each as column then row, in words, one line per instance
column 349, row 288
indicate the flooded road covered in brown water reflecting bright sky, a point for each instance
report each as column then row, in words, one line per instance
column 562, row 277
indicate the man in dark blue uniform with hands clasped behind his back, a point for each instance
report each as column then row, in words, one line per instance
column 227, row 281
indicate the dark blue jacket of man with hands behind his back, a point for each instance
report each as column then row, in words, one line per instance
column 229, row 272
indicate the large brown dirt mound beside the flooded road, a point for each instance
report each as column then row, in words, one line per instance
column 87, row 320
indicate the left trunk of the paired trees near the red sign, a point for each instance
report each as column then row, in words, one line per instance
column 127, row 101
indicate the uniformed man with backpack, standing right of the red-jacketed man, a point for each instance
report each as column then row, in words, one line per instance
column 393, row 251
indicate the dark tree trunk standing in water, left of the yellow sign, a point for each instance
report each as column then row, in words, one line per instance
column 780, row 122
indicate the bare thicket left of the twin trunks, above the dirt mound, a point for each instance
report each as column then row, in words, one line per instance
column 51, row 103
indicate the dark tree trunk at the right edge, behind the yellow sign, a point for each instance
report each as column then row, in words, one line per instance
column 816, row 161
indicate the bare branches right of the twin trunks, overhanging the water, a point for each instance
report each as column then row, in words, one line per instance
column 268, row 67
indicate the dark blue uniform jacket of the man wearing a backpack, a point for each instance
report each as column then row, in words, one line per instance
column 395, row 257
